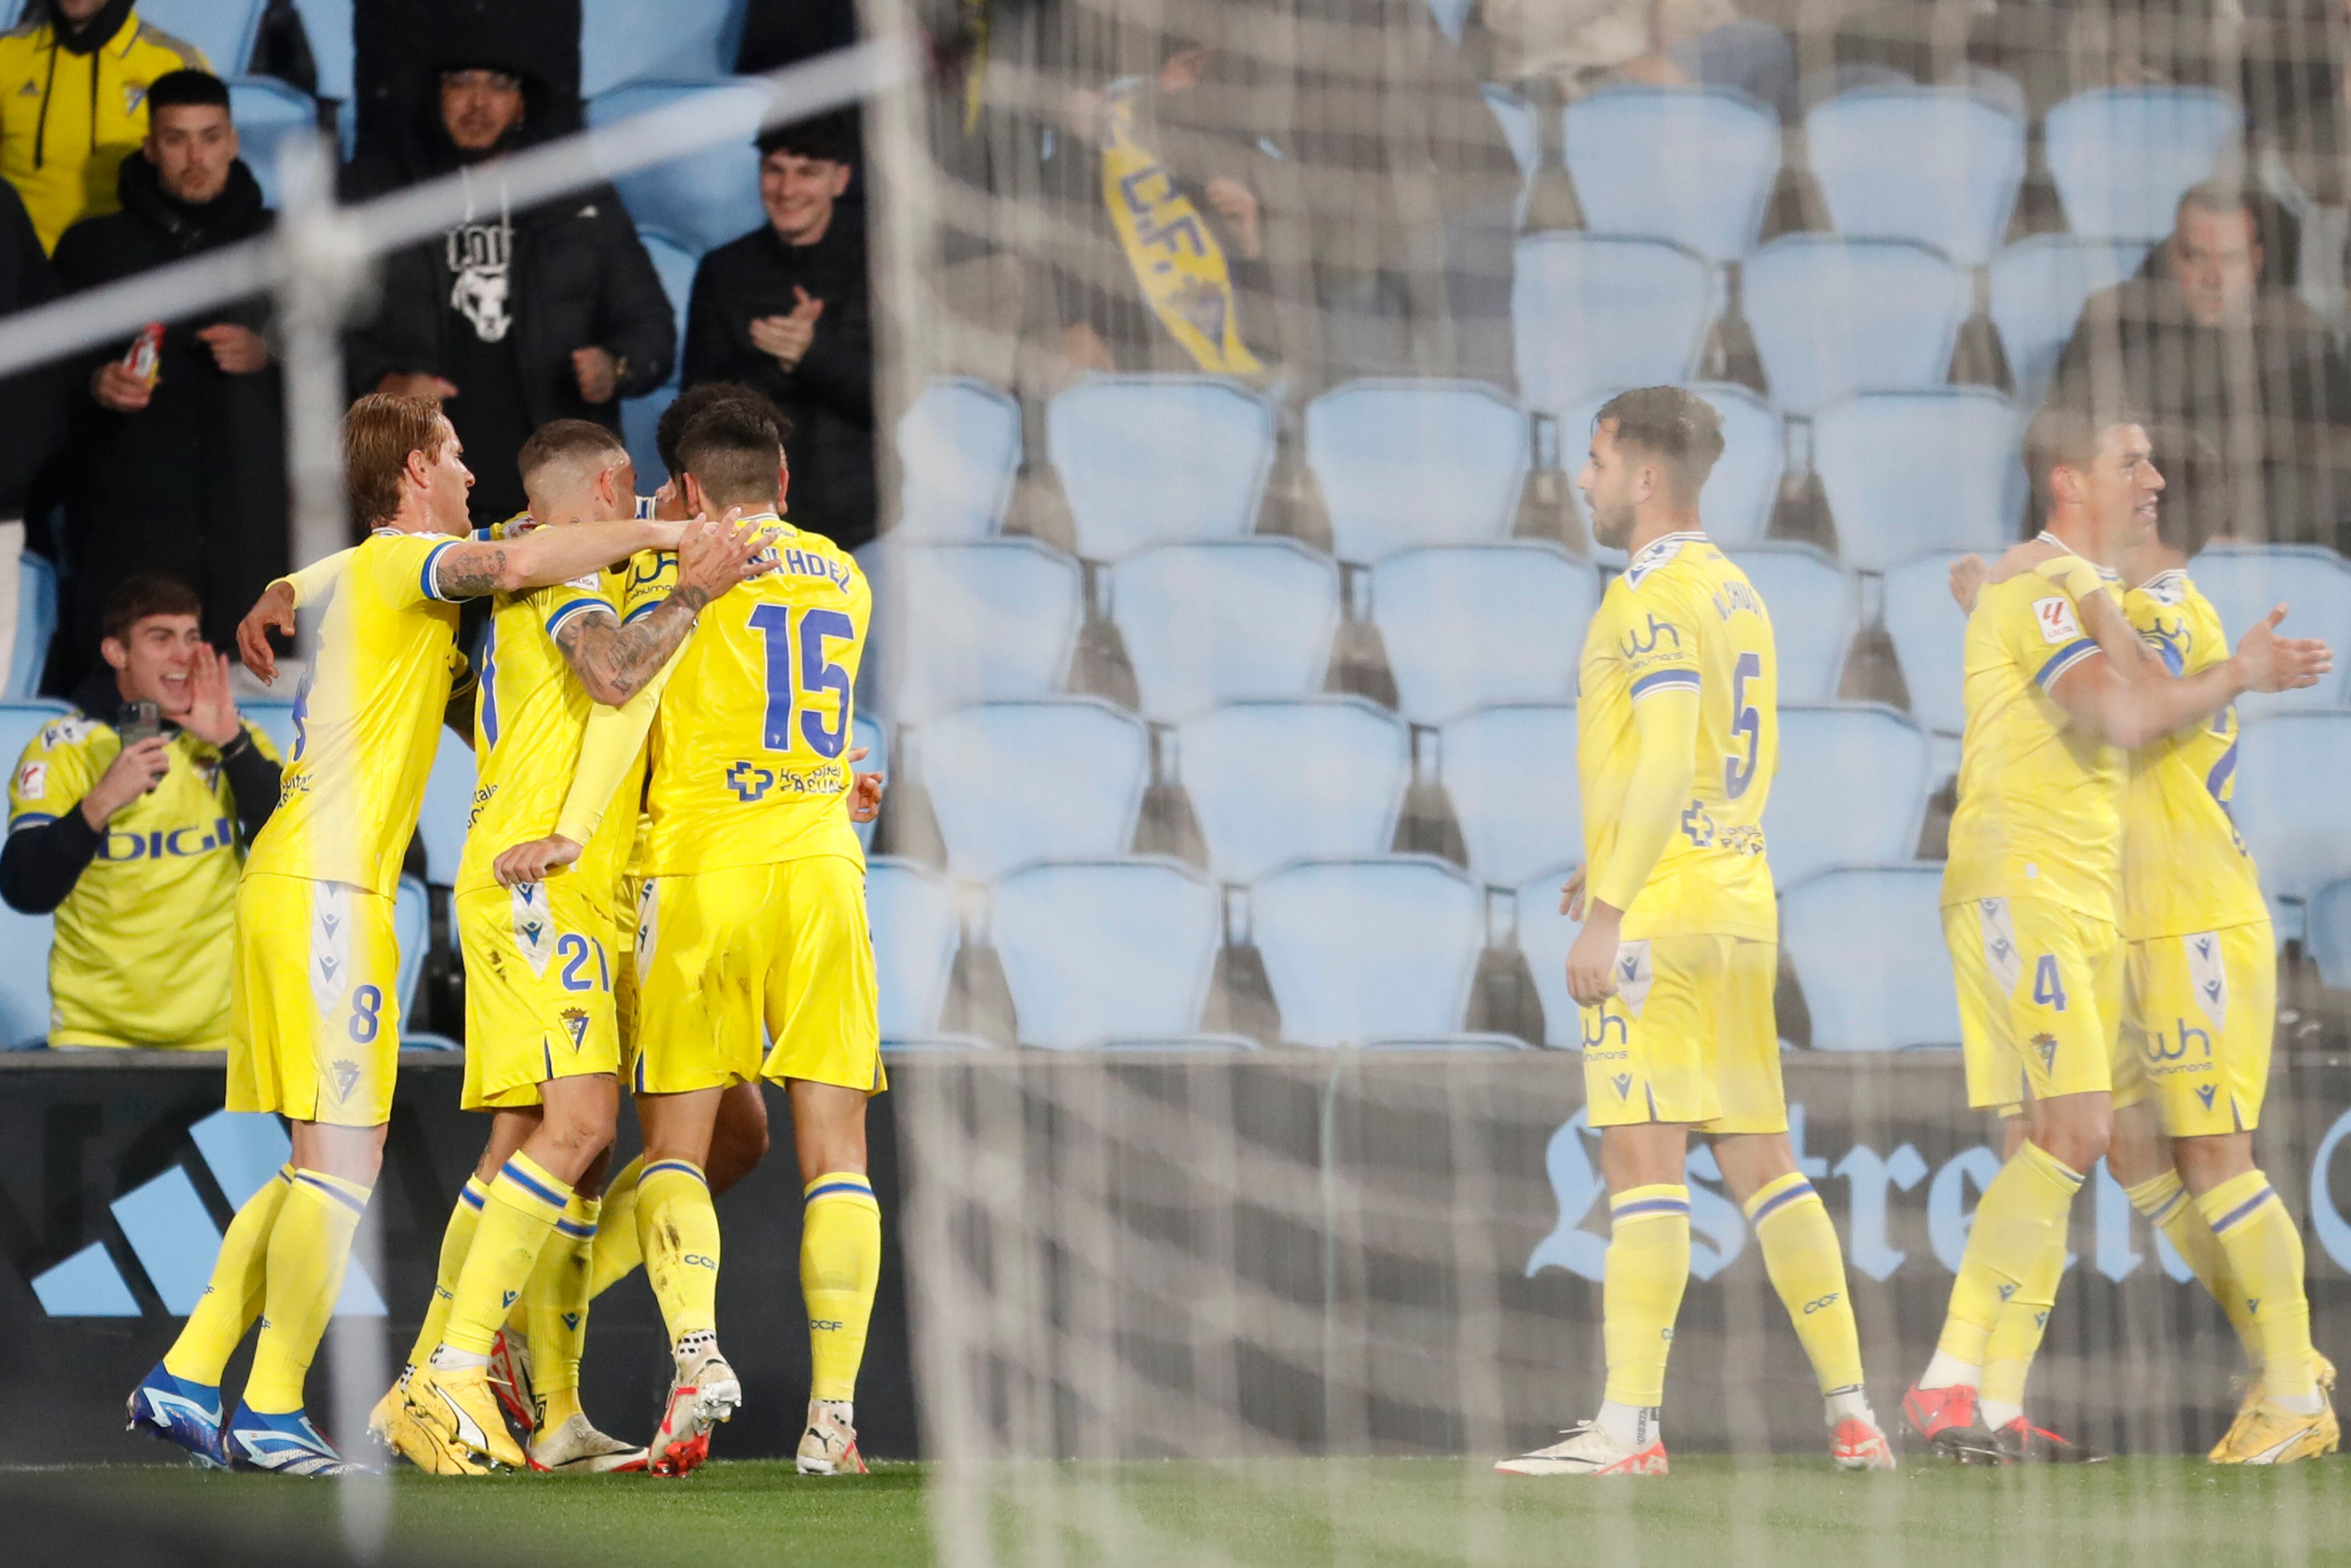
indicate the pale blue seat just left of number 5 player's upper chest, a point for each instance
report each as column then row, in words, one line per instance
column 1482, row 624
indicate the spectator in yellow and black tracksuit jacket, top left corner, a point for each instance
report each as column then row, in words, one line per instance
column 74, row 79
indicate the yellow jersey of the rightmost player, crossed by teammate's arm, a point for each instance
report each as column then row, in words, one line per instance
column 2185, row 869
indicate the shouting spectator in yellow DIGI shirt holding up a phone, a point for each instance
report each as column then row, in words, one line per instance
column 138, row 840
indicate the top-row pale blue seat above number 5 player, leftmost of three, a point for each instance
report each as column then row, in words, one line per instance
column 1692, row 166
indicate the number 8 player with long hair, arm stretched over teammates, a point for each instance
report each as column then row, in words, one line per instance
column 314, row 1000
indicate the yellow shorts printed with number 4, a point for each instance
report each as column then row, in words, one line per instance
column 2039, row 1003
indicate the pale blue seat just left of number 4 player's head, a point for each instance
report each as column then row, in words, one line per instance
column 1920, row 471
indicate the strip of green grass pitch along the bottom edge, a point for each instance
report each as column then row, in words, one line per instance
column 1329, row 1515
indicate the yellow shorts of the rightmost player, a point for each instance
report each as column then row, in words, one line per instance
column 2202, row 1012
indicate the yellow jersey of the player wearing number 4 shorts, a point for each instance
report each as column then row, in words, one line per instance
column 2039, row 798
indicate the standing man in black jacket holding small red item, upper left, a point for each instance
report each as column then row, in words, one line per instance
column 180, row 471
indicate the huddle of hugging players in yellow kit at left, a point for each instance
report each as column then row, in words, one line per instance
column 690, row 652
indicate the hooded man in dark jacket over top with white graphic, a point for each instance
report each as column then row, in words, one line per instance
column 514, row 319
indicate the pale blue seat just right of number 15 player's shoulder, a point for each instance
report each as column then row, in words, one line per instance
column 979, row 624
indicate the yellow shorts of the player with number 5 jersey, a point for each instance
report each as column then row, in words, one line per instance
column 1689, row 1038
